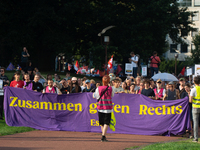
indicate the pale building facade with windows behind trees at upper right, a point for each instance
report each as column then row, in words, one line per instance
column 185, row 49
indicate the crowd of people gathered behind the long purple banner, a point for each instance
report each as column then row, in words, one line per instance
column 156, row 90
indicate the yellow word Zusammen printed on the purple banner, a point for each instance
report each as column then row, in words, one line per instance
column 44, row 105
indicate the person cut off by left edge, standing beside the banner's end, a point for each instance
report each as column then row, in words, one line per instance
column 3, row 82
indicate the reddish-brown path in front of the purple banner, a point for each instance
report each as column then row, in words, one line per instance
column 65, row 140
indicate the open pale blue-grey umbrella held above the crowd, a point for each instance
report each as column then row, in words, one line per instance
column 164, row 77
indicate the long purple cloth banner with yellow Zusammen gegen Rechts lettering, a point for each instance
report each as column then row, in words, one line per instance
column 135, row 114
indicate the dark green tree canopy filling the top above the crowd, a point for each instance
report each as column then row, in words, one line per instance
column 48, row 28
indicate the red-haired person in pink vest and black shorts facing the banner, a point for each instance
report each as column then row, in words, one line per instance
column 104, row 95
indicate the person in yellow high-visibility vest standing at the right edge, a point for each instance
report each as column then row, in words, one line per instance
column 195, row 100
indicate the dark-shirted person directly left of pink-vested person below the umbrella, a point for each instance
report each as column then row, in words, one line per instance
column 147, row 91
